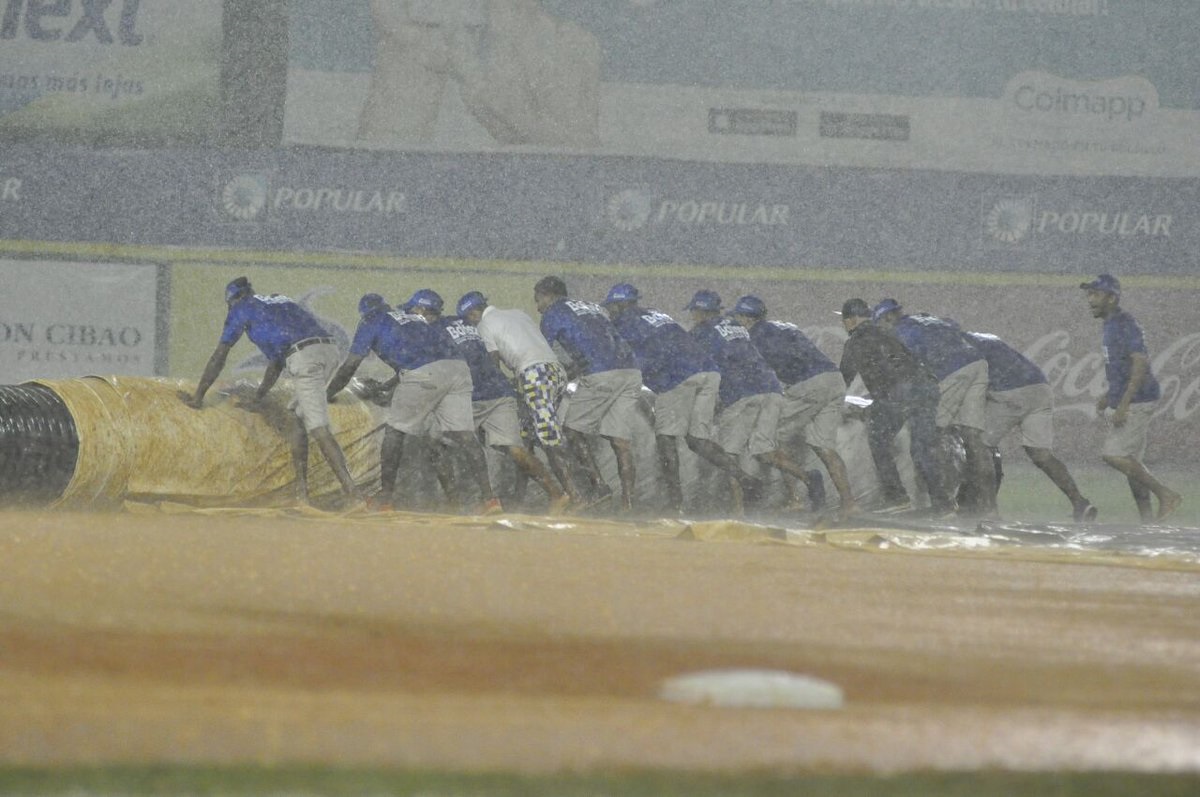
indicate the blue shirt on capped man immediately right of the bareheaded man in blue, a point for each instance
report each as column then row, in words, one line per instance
column 665, row 352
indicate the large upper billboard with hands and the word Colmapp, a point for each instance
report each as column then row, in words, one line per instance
column 1023, row 87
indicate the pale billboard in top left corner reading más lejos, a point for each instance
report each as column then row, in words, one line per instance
column 121, row 73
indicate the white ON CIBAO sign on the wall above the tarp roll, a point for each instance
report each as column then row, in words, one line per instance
column 67, row 320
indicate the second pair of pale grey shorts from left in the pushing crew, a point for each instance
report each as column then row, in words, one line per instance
column 435, row 398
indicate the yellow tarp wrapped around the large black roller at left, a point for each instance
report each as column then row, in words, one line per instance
column 140, row 441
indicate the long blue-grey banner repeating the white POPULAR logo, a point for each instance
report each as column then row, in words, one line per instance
column 602, row 211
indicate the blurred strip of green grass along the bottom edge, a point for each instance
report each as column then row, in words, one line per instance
column 335, row 782
